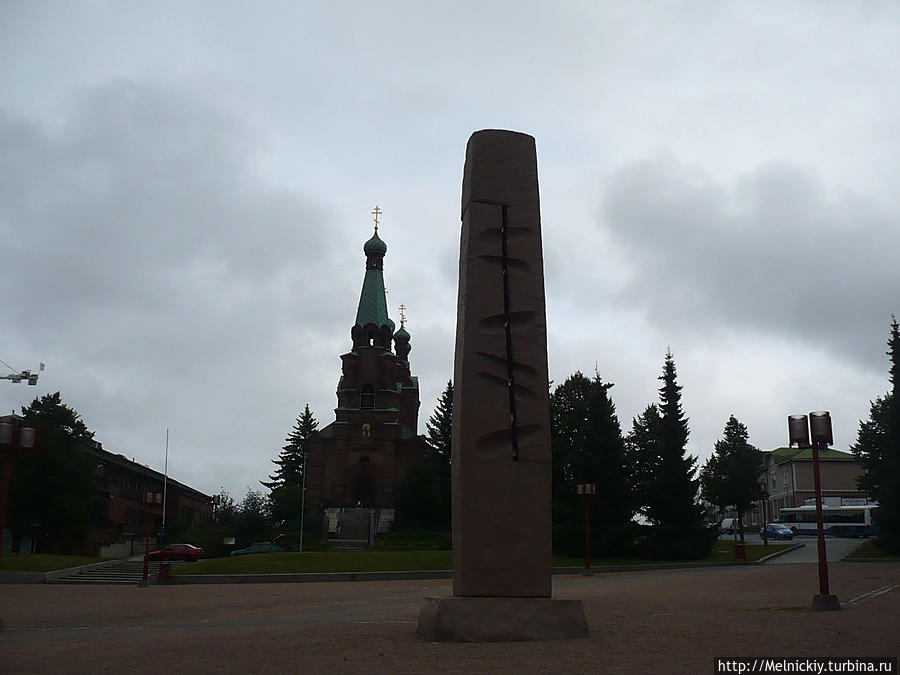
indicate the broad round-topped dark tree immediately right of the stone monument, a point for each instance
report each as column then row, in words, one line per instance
column 588, row 447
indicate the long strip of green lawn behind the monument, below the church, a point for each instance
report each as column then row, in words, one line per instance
column 408, row 561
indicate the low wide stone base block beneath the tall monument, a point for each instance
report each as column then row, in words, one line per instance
column 480, row 619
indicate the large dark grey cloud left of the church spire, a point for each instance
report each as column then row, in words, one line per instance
column 146, row 256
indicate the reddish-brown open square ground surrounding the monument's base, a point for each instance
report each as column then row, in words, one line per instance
column 653, row 622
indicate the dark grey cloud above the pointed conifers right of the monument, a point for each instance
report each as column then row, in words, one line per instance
column 776, row 253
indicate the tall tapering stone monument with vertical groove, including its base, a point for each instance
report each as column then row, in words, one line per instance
column 501, row 473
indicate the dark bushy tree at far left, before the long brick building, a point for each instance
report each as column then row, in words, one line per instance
column 51, row 489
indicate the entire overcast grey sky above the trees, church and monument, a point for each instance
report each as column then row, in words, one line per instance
column 185, row 189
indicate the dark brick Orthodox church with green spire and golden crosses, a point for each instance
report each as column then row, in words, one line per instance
column 358, row 459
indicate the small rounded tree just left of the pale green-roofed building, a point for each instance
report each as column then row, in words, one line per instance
column 730, row 477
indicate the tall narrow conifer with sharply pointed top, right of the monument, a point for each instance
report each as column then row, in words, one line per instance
column 674, row 512
